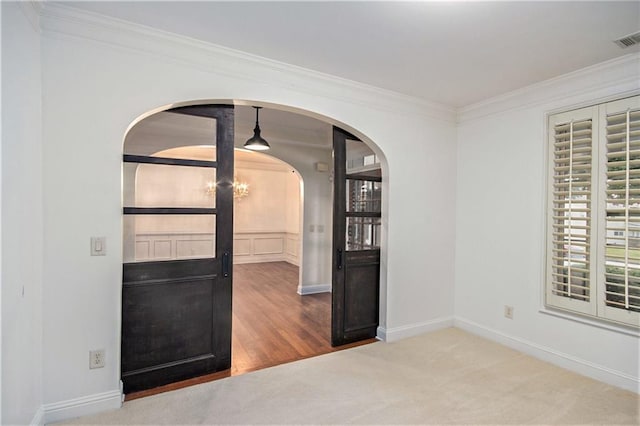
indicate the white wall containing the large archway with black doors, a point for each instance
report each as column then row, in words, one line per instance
column 94, row 87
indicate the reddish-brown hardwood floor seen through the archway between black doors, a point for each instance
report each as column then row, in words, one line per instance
column 272, row 324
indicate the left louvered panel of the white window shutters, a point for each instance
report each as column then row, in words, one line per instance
column 572, row 156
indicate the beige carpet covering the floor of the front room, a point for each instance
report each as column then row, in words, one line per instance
column 445, row 377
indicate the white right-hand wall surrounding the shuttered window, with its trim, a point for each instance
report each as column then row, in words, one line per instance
column 500, row 226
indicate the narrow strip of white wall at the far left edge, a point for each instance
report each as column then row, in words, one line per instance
column 22, row 211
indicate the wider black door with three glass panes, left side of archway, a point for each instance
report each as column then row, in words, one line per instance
column 176, row 295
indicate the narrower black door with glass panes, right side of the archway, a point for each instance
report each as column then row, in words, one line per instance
column 356, row 240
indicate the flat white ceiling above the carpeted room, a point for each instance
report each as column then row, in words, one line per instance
column 455, row 53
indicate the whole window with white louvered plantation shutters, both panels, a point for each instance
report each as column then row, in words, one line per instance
column 593, row 241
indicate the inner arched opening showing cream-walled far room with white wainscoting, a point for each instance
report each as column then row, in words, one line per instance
column 267, row 206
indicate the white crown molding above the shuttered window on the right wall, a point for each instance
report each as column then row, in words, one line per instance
column 620, row 74
